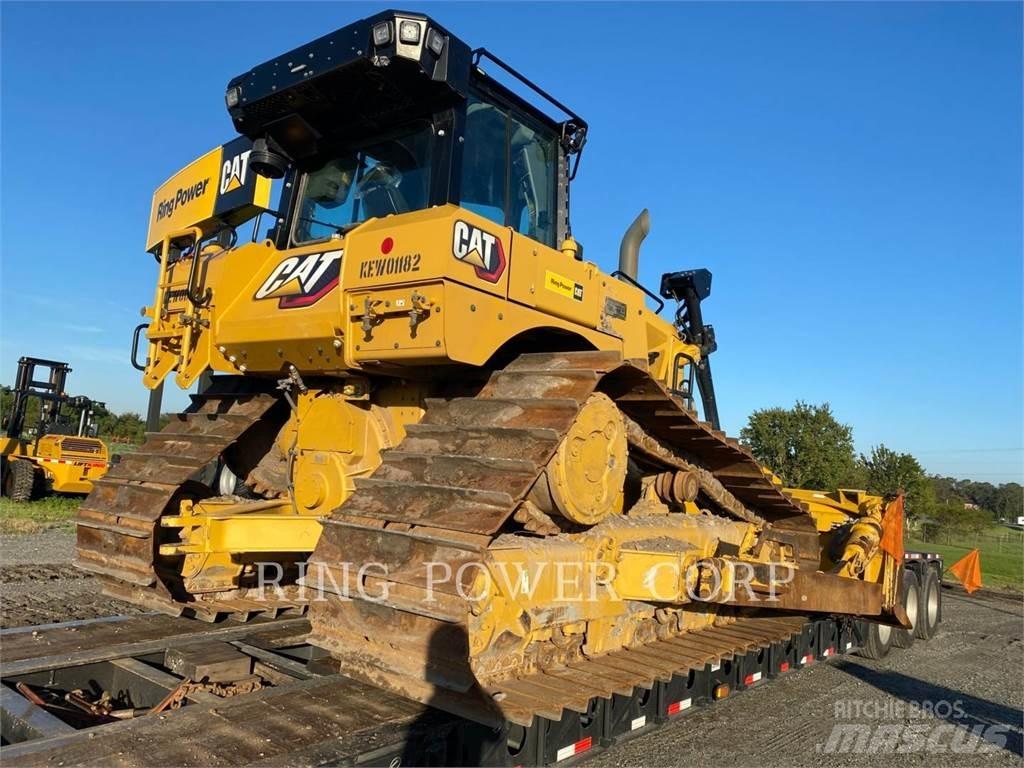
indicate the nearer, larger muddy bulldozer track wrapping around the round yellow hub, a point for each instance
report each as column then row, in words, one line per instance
column 445, row 494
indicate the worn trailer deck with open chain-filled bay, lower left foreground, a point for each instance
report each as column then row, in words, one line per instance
column 306, row 714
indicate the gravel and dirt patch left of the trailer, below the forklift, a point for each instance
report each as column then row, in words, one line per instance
column 38, row 584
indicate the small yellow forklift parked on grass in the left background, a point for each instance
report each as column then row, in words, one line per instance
column 60, row 453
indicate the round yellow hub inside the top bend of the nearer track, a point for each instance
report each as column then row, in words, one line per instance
column 583, row 482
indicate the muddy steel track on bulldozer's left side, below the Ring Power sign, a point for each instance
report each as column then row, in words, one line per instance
column 119, row 523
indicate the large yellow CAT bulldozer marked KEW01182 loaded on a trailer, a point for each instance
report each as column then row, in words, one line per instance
column 475, row 455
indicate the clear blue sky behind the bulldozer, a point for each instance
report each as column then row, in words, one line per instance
column 851, row 174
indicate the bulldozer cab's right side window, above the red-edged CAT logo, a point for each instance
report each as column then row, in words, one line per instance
column 508, row 172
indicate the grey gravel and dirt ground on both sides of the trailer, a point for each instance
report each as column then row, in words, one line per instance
column 956, row 701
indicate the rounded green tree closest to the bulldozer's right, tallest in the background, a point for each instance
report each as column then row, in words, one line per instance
column 805, row 446
